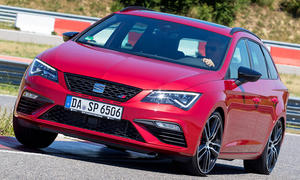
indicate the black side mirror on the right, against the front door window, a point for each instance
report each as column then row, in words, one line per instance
column 246, row 75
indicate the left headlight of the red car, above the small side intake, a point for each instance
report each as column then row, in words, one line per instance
column 39, row 68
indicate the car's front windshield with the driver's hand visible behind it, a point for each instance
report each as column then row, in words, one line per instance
column 159, row 39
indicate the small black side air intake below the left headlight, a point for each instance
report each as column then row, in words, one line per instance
column 28, row 106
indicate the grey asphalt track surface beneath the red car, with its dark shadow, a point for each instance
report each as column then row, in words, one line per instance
column 72, row 159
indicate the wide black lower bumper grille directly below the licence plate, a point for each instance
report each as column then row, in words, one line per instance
column 121, row 128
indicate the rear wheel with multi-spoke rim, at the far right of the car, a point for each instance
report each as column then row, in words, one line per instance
column 266, row 162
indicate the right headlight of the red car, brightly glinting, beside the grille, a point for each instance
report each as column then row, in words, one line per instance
column 183, row 100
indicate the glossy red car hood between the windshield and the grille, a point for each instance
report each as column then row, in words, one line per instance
column 145, row 73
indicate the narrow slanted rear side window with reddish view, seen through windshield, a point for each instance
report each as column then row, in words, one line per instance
column 133, row 36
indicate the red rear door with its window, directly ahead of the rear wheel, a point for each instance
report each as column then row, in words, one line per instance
column 264, row 96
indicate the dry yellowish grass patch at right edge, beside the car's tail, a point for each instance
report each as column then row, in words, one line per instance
column 292, row 82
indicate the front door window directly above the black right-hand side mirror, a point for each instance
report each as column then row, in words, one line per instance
column 239, row 58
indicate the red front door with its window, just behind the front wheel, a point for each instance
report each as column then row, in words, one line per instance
column 241, row 117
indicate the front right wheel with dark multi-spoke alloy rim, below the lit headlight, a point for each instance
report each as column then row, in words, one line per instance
column 209, row 148
